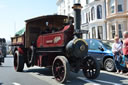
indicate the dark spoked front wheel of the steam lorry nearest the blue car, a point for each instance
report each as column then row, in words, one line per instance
column 91, row 68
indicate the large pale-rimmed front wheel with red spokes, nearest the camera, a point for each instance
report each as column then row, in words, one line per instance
column 61, row 69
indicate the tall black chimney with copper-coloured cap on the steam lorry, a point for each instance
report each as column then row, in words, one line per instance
column 77, row 19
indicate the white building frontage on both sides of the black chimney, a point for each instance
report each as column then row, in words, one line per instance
column 93, row 16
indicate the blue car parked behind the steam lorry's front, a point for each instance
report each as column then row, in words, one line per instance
column 101, row 51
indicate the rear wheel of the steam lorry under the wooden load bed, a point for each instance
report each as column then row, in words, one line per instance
column 18, row 61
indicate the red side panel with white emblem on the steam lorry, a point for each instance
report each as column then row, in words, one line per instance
column 52, row 39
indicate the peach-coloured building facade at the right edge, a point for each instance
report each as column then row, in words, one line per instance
column 117, row 17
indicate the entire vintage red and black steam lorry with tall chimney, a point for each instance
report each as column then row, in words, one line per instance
column 63, row 50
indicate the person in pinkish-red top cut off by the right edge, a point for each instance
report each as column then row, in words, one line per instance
column 125, row 48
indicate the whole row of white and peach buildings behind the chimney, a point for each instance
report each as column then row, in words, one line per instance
column 103, row 19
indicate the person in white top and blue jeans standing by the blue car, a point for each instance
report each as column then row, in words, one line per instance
column 117, row 52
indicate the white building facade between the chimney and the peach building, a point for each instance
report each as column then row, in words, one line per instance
column 93, row 19
